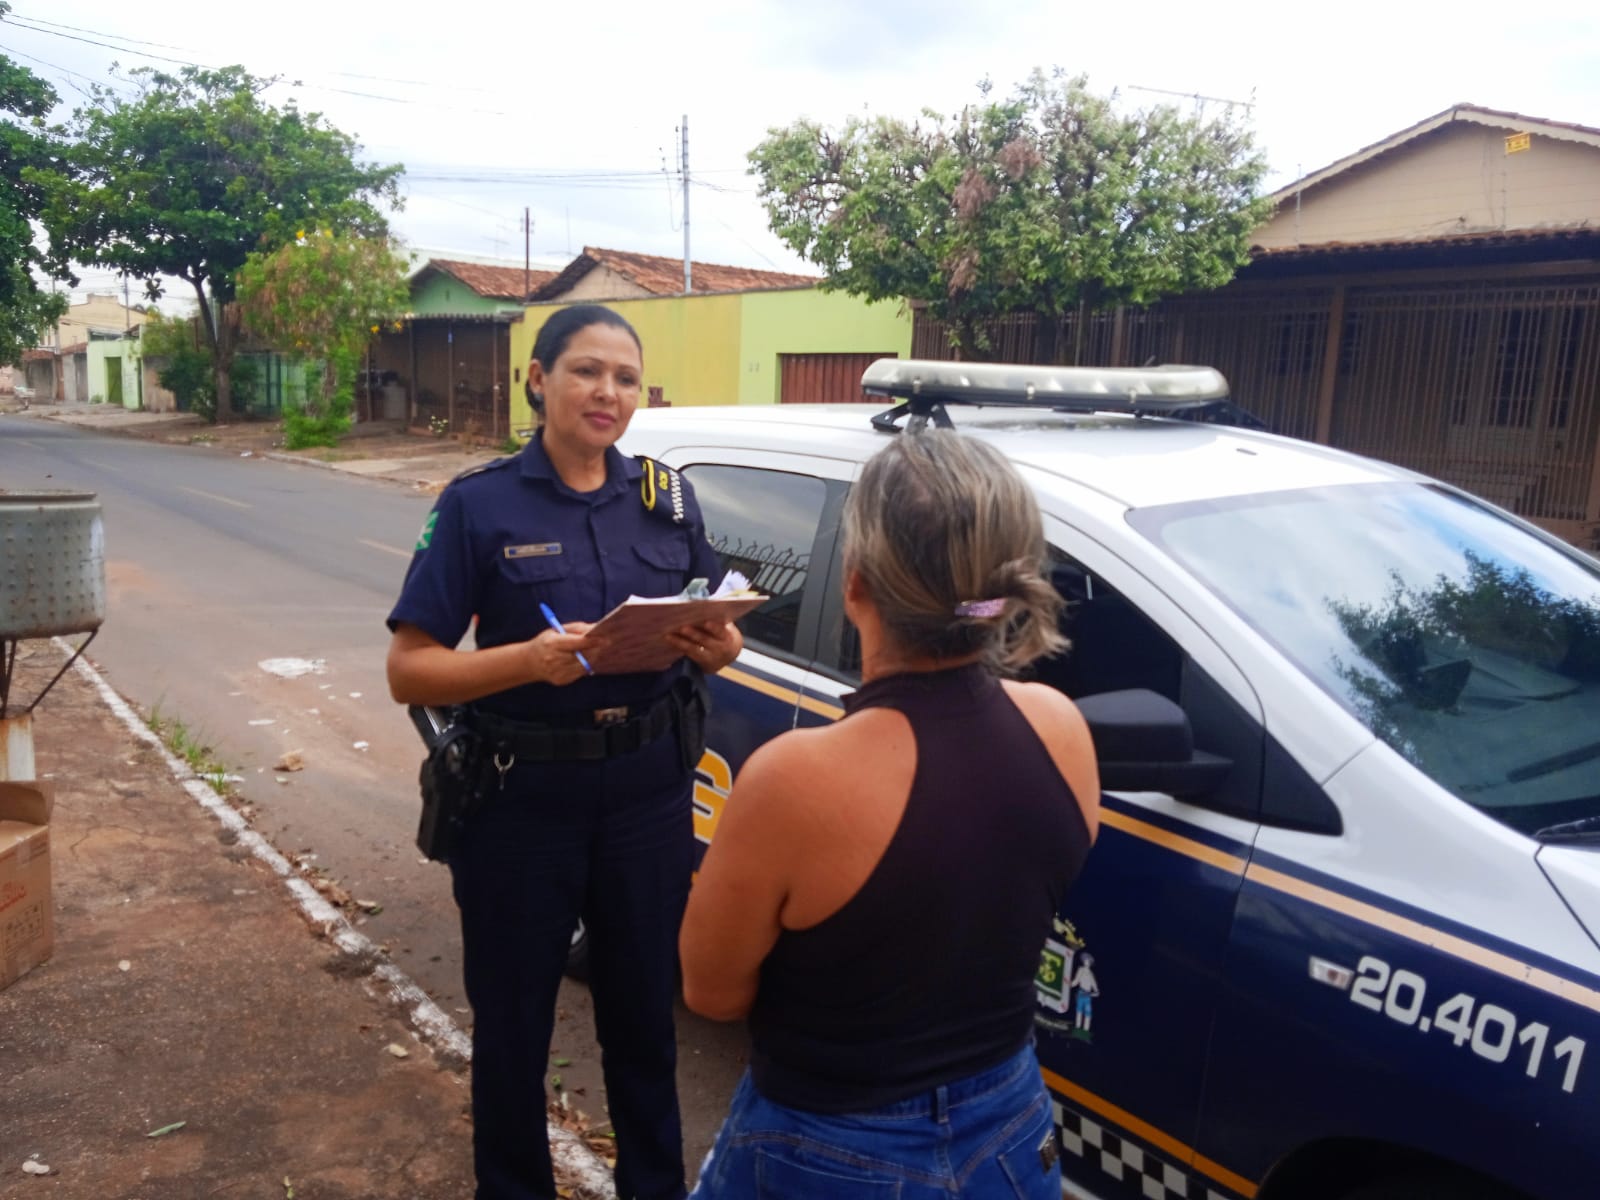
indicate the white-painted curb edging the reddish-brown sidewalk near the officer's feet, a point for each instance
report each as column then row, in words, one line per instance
column 431, row 1023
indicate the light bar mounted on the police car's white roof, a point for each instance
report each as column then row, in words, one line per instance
column 926, row 386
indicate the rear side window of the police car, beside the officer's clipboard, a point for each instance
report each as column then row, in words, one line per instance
column 764, row 526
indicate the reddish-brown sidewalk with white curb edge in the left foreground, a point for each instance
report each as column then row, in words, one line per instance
column 209, row 1025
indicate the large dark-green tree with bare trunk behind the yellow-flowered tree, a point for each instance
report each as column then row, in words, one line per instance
column 194, row 174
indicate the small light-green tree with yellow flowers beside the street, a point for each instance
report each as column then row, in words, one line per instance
column 324, row 297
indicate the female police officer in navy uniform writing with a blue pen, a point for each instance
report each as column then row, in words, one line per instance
column 588, row 809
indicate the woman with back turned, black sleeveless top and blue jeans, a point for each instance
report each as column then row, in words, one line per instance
column 881, row 889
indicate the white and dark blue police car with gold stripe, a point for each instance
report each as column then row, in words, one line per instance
column 1338, row 937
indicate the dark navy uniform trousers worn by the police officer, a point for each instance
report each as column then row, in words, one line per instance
column 610, row 842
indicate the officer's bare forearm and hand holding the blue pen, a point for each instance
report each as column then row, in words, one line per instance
column 425, row 671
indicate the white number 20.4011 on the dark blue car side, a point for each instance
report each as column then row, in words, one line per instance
column 1492, row 1031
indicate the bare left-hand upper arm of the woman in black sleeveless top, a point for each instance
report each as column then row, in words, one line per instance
column 740, row 892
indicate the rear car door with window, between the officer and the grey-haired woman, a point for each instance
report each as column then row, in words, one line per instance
column 774, row 518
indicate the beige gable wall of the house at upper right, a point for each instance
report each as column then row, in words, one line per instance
column 1457, row 180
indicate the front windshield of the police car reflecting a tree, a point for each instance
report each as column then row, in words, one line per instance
column 1466, row 644
